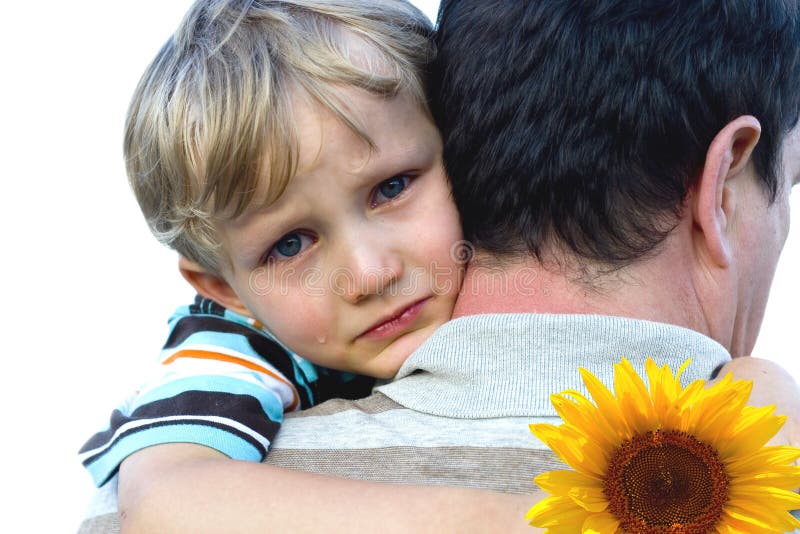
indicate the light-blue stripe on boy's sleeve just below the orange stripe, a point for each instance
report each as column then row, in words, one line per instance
column 269, row 400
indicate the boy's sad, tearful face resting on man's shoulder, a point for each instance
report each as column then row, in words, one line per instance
column 353, row 267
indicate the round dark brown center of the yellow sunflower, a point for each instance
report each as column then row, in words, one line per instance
column 662, row 482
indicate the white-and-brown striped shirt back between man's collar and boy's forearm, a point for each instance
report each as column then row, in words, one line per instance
column 379, row 439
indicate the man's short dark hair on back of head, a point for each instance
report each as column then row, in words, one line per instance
column 586, row 122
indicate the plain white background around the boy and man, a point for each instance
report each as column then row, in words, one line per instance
column 86, row 289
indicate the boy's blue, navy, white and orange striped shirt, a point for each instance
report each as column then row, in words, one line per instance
column 222, row 381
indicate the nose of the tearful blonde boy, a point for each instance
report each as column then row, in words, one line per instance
column 372, row 267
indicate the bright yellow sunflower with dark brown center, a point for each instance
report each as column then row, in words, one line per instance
column 671, row 459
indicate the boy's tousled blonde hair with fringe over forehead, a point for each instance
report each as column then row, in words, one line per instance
column 211, row 121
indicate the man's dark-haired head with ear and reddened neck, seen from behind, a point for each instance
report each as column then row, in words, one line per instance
column 656, row 140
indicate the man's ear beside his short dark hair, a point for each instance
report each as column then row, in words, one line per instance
column 715, row 200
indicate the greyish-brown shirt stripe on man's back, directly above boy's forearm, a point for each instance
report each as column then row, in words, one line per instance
column 508, row 470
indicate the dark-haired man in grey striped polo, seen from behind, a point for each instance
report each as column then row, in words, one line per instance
column 623, row 172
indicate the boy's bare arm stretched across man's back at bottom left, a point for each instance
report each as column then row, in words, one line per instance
column 189, row 488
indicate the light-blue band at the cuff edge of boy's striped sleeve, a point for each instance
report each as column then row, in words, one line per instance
column 228, row 444
